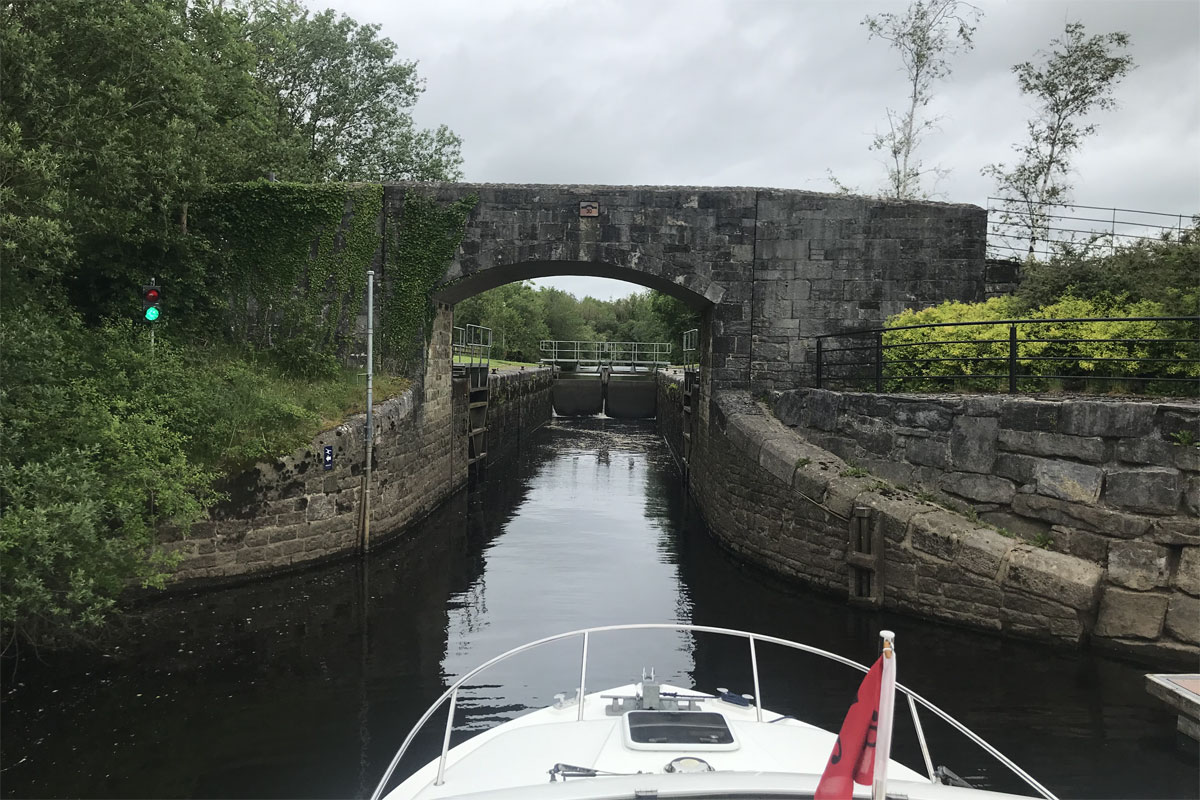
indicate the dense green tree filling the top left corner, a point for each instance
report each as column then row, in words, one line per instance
column 134, row 109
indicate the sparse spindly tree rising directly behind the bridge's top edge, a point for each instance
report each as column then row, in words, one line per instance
column 926, row 37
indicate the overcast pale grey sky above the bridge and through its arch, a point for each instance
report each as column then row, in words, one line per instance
column 776, row 93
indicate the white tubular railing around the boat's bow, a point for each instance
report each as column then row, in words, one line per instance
column 914, row 699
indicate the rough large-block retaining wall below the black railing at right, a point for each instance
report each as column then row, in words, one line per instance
column 1109, row 482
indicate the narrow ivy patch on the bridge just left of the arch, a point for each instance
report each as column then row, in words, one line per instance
column 421, row 245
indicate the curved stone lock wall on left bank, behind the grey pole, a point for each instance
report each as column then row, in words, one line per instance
column 295, row 512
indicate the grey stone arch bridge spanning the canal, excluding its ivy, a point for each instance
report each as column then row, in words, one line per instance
column 770, row 269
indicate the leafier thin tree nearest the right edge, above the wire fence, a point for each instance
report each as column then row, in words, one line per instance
column 1076, row 79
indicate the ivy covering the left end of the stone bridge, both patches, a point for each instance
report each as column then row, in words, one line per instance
column 290, row 263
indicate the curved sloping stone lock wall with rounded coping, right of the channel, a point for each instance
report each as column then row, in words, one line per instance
column 785, row 503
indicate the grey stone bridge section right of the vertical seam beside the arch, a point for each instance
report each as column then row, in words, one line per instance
column 825, row 264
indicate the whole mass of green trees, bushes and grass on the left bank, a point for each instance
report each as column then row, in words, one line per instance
column 127, row 129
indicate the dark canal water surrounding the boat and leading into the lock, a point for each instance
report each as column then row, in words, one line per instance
column 303, row 687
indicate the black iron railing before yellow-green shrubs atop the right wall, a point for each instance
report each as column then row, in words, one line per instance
column 1156, row 356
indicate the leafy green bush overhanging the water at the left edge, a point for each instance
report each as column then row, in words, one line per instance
column 89, row 466
